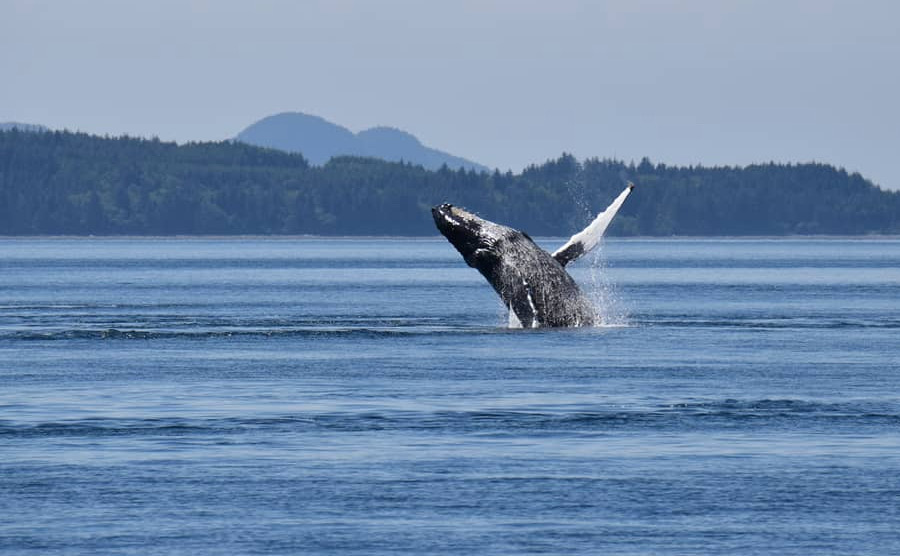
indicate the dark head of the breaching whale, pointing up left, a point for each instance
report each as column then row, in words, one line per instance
column 475, row 238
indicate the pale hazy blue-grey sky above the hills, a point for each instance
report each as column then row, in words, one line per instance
column 505, row 83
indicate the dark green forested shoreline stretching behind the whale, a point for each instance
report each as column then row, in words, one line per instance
column 60, row 183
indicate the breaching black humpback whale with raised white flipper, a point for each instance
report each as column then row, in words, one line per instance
column 532, row 283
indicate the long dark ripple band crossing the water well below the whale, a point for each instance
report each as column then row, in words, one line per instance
column 672, row 416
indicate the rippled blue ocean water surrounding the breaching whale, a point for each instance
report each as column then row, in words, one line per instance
column 365, row 396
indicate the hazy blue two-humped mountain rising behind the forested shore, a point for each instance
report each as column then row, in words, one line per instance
column 319, row 140
